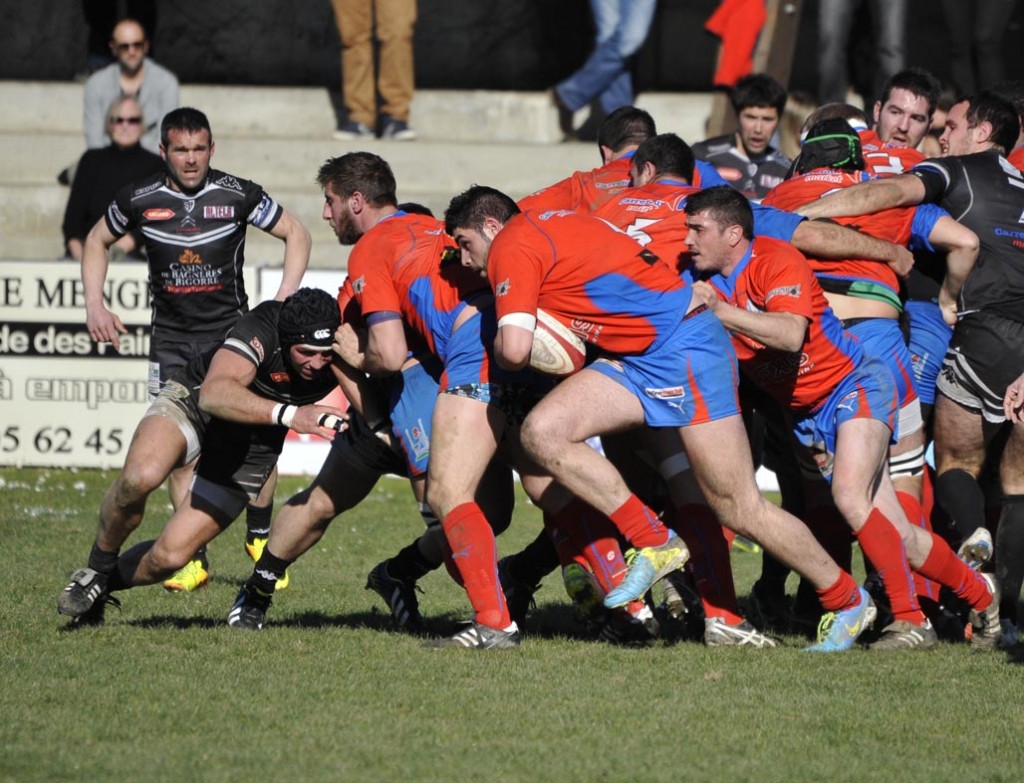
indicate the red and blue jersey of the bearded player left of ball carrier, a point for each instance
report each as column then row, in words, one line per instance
column 398, row 269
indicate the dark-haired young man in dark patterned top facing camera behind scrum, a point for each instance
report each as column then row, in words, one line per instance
column 746, row 159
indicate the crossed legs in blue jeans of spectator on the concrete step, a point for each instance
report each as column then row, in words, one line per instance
column 622, row 28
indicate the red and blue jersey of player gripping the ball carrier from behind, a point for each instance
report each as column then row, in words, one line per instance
column 776, row 278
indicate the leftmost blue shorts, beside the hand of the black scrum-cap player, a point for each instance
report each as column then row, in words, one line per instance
column 412, row 406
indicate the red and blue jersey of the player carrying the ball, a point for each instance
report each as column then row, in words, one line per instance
column 595, row 280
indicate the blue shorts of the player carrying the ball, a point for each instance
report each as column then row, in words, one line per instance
column 690, row 379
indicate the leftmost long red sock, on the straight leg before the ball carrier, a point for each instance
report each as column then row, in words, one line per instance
column 476, row 556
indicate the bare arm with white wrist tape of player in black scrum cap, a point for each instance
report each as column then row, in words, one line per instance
column 226, row 395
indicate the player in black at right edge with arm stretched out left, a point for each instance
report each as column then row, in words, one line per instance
column 982, row 190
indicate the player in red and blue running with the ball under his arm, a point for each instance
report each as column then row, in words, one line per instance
column 665, row 365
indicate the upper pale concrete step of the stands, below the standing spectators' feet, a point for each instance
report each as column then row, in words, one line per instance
column 311, row 112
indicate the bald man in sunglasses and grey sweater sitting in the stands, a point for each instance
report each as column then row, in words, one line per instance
column 135, row 75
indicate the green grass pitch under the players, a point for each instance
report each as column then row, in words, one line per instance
column 167, row 692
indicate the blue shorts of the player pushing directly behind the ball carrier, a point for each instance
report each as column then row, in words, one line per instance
column 869, row 393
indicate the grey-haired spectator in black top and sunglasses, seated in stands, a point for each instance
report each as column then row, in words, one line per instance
column 103, row 172
